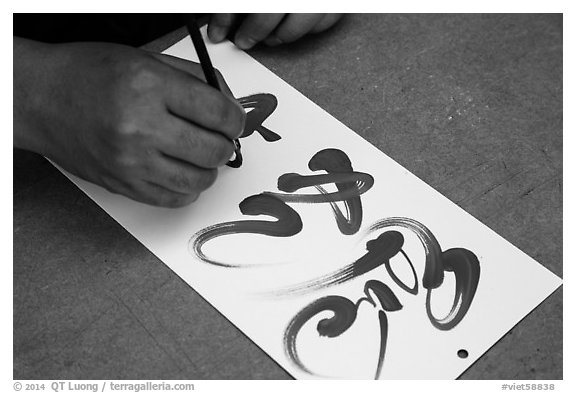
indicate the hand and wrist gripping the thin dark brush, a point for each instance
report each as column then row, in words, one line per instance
column 140, row 124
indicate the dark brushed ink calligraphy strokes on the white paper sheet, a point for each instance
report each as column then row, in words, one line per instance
column 350, row 185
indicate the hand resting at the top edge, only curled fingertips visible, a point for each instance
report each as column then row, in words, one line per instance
column 271, row 29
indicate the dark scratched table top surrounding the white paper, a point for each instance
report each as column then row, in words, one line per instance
column 471, row 104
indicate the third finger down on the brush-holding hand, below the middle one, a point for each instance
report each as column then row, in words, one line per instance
column 180, row 177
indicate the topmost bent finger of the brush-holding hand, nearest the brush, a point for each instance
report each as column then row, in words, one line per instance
column 191, row 99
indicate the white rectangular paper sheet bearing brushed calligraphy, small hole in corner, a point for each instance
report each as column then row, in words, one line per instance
column 255, row 296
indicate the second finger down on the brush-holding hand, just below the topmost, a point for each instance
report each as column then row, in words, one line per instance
column 189, row 143
